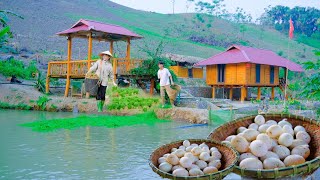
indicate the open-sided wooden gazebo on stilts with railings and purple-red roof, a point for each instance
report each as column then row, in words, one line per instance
column 92, row 30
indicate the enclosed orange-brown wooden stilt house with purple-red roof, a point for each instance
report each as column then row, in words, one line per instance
column 243, row 67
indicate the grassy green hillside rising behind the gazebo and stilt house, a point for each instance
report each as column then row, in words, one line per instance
column 183, row 33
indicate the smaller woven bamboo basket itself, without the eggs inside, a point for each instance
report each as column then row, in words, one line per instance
column 228, row 160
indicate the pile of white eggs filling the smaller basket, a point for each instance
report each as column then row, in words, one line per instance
column 191, row 160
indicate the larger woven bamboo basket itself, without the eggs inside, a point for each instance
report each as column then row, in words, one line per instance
column 312, row 162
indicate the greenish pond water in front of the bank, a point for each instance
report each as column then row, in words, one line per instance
column 84, row 153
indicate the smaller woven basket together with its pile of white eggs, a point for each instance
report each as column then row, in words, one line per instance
column 194, row 159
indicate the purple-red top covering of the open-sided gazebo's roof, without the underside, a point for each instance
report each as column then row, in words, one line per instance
column 87, row 25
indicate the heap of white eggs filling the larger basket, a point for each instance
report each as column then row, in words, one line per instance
column 268, row 144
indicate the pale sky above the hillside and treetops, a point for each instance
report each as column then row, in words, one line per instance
column 254, row 7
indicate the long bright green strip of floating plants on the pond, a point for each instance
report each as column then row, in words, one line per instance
column 148, row 118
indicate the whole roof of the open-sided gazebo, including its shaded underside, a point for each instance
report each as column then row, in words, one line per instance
column 100, row 31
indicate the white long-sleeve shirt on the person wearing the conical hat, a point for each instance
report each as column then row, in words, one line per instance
column 103, row 70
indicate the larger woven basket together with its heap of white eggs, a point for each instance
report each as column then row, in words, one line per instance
column 272, row 145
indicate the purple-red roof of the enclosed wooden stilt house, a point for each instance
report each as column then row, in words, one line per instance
column 243, row 54
